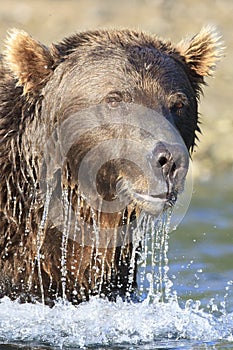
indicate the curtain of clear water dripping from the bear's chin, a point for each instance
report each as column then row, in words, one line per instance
column 153, row 265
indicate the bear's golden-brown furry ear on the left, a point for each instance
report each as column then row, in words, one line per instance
column 29, row 61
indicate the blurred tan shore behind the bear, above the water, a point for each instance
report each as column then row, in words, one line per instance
column 51, row 20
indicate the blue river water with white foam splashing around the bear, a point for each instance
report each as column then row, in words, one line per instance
column 198, row 315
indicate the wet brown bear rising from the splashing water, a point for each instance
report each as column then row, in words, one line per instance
column 94, row 131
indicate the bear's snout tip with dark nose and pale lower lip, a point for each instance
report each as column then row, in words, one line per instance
column 167, row 169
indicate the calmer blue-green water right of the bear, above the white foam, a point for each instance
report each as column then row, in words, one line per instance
column 201, row 250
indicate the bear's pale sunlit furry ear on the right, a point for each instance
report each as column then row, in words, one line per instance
column 202, row 52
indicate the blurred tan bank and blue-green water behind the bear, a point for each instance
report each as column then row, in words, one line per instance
column 201, row 249
